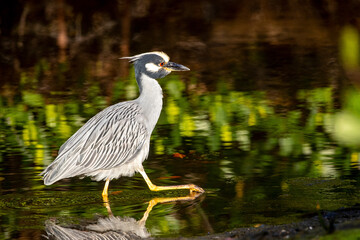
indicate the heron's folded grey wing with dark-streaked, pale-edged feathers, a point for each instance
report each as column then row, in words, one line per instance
column 109, row 139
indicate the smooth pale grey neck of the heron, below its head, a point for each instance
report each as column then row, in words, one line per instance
column 150, row 99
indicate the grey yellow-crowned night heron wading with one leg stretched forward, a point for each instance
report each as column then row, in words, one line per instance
column 116, row 141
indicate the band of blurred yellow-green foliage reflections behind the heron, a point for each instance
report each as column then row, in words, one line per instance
column 226, row 120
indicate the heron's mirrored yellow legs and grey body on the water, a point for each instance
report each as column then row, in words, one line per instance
column 111, row 227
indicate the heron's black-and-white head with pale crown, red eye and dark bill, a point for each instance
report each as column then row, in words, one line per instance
column 154, row 64
